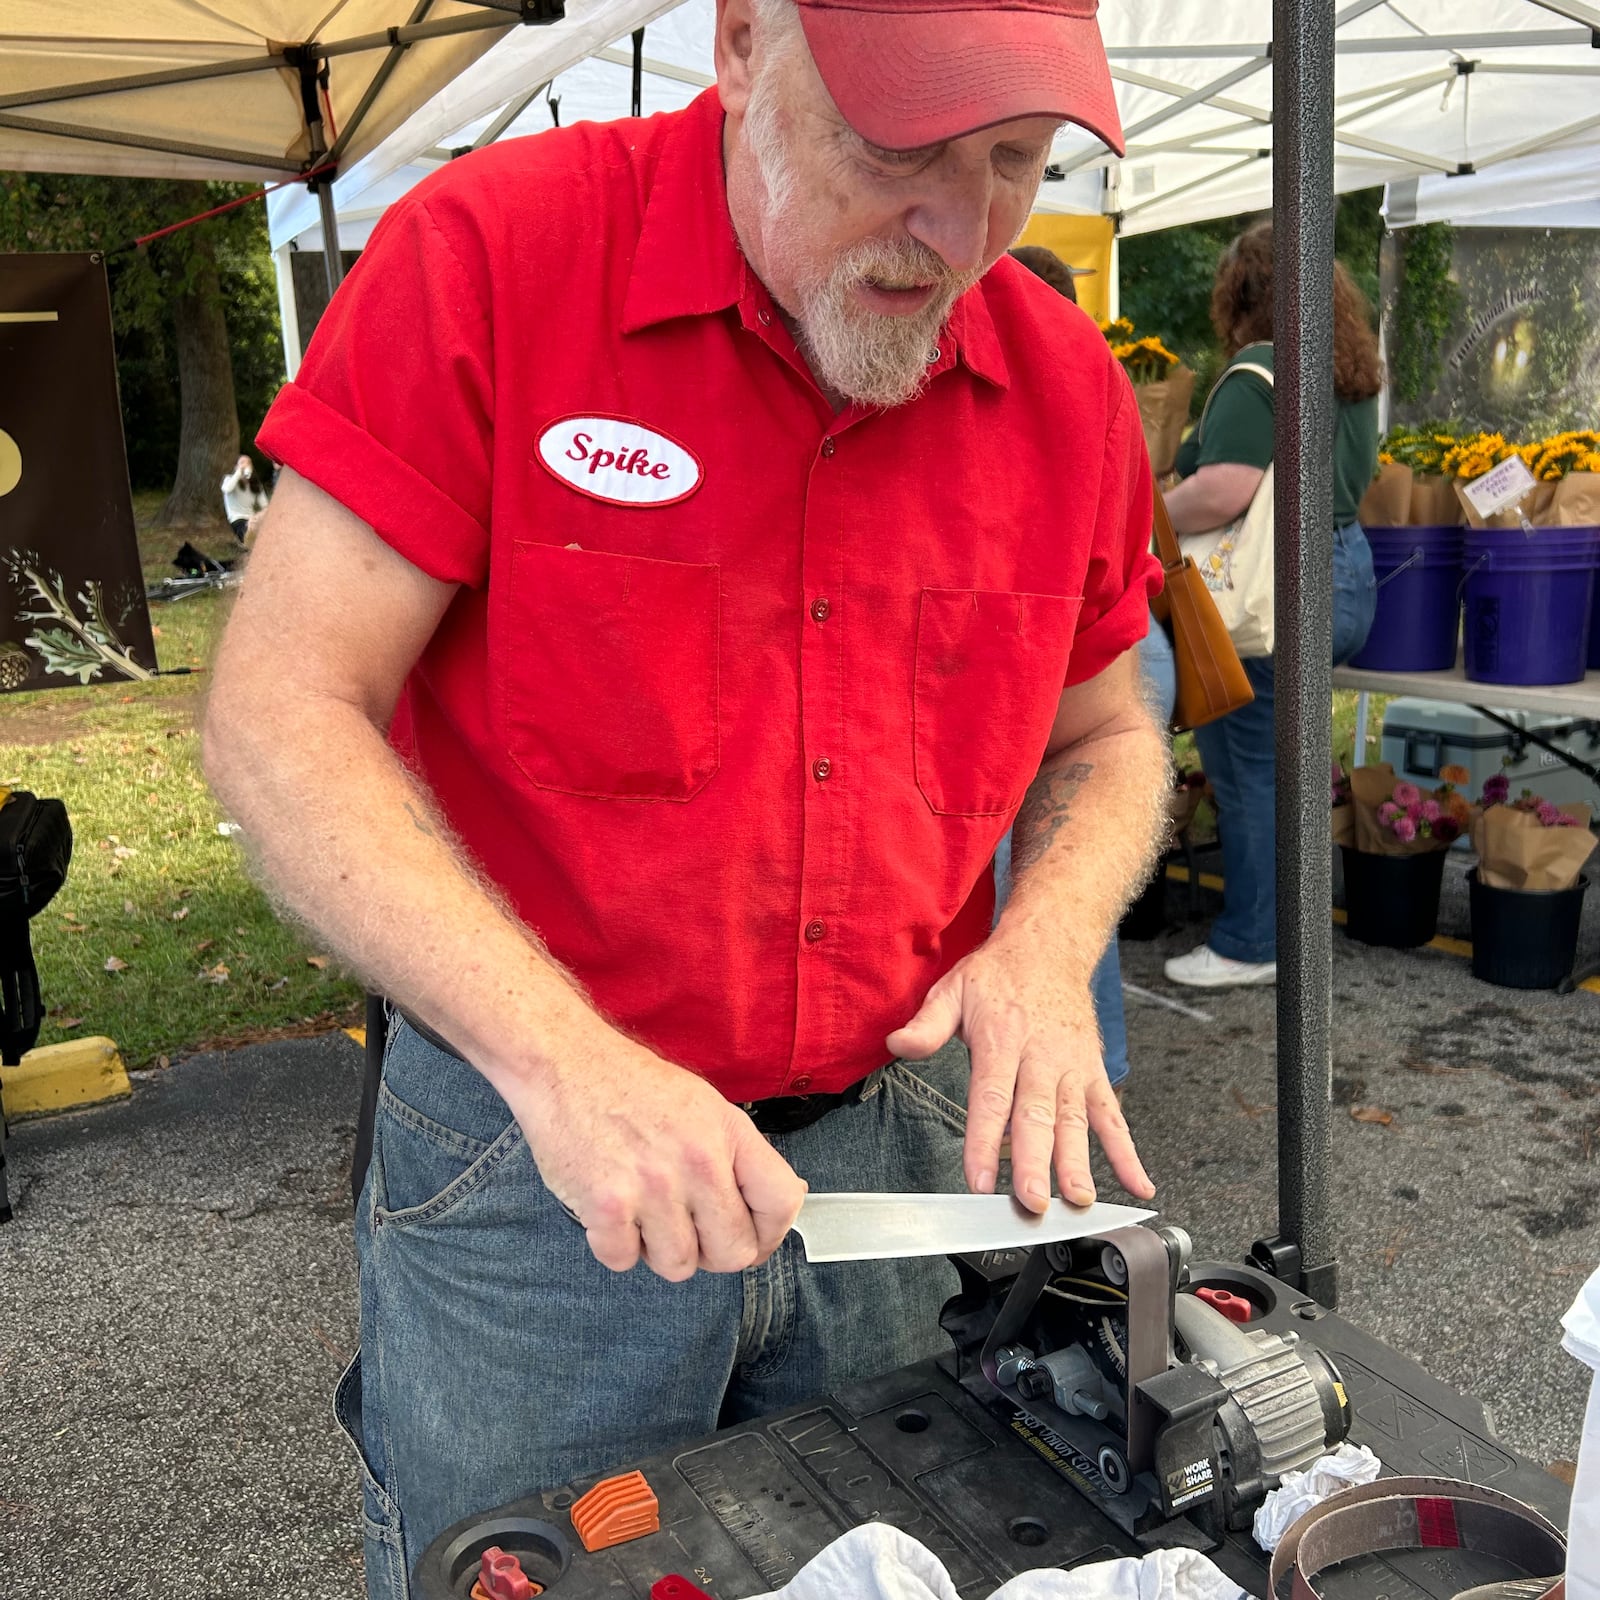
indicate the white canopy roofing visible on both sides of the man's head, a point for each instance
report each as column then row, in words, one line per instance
column 1423, row 87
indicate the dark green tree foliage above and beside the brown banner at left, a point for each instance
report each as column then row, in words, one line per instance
column 47, row 212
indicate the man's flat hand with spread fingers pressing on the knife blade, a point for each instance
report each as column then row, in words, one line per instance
column 1036, row 1068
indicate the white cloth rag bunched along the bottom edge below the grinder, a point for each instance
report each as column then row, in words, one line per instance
column 878, row 1562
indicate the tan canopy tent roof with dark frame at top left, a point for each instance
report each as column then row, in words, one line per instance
column 244, row 89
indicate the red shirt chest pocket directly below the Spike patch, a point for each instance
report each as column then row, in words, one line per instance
column 609, row 673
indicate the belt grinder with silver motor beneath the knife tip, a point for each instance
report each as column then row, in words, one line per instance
column 1177, row 1399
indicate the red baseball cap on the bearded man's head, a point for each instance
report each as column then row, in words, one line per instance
column 913, row 73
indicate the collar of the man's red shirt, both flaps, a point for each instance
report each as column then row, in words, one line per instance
column 689, row 260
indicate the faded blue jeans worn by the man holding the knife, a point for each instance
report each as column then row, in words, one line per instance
column 498, row 1358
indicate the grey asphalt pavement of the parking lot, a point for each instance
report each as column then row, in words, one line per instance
column 177, row 1292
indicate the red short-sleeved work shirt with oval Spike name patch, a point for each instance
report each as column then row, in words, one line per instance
column 737, row 697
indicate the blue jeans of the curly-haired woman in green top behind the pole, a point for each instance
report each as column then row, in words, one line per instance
column 1241, row 761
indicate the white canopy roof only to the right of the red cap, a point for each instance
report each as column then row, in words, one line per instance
column 1422, row 87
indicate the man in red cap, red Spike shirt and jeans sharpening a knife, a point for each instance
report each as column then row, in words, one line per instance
column 689, row 561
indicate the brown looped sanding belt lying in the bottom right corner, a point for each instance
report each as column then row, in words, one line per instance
column 1418, row 1514
